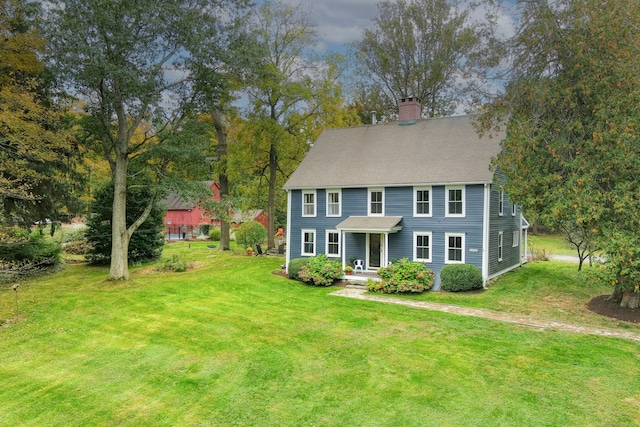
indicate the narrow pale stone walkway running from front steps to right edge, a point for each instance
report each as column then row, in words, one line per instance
column 518, row 319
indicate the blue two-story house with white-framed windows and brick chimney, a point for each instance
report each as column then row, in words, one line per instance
column 420, row 189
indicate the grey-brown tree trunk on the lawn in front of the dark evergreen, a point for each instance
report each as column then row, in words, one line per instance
column 119, row 269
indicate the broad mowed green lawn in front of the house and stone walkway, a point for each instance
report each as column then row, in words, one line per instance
column 229, row 343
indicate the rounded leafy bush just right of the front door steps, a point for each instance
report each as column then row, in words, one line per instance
column 403, row 276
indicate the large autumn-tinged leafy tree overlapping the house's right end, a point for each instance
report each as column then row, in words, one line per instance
column 572, row 150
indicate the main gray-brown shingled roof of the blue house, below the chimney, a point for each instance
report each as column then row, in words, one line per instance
column 434, row 151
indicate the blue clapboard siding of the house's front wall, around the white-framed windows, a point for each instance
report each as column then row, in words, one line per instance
column 398, row 202
